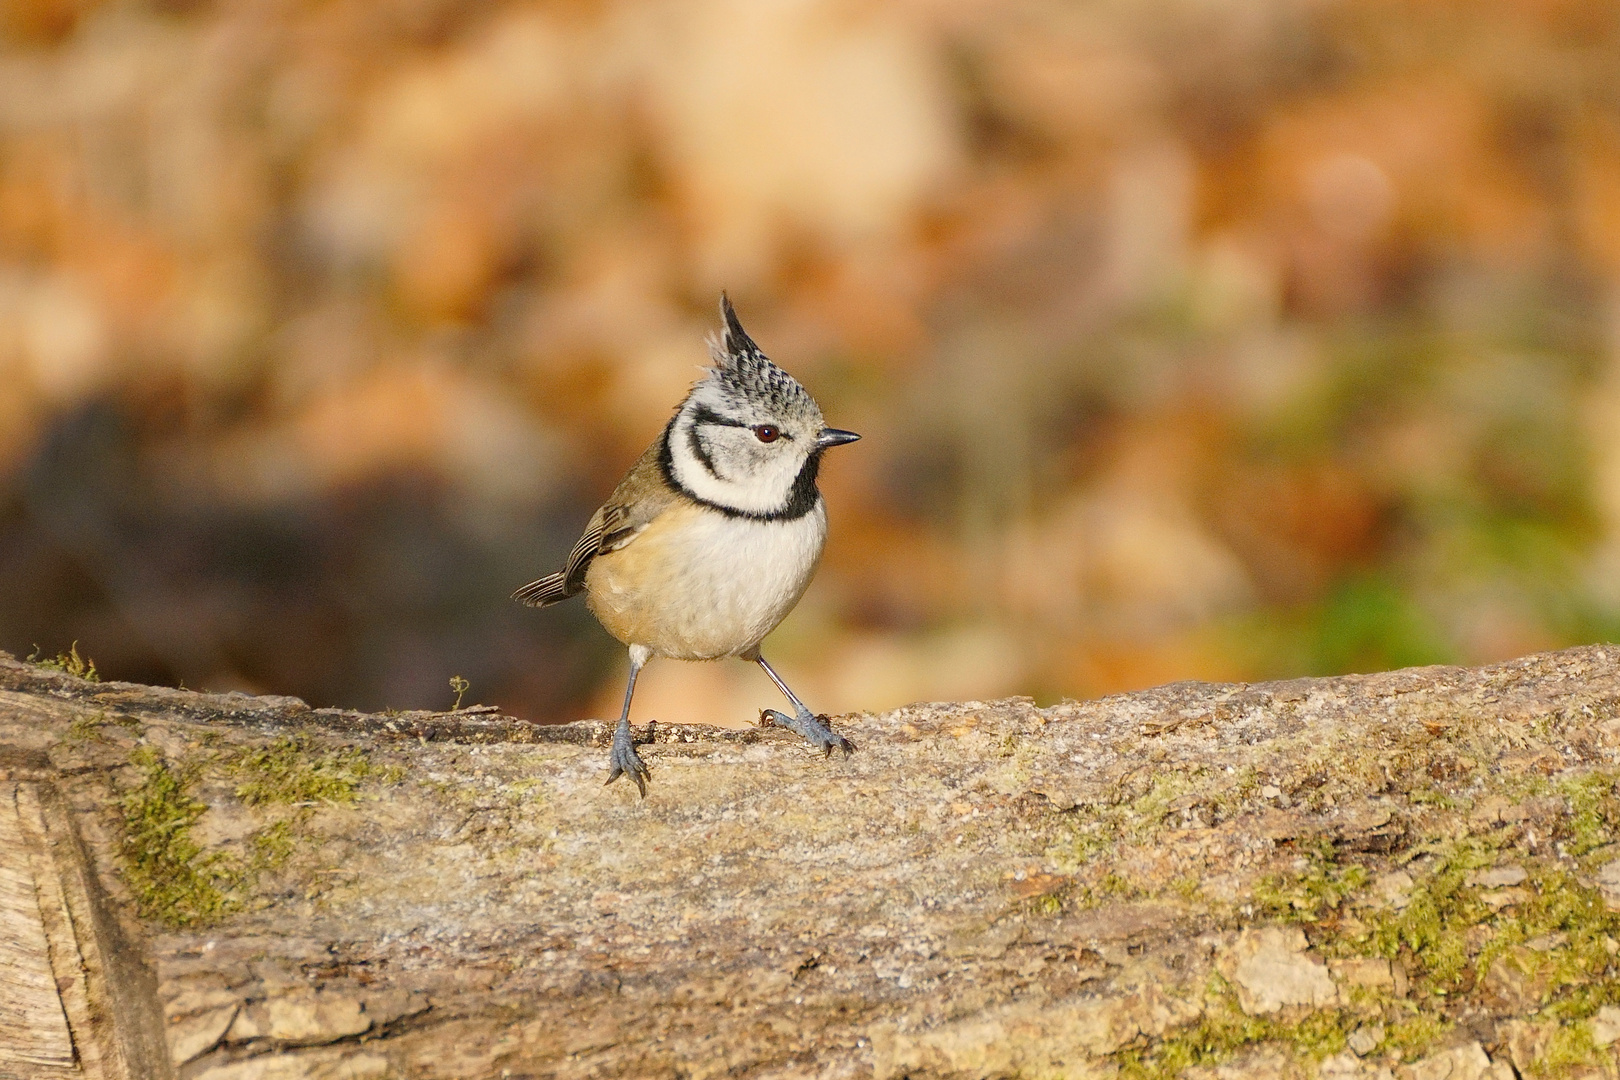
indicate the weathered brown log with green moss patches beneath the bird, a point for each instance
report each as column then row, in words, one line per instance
column 1405, row 874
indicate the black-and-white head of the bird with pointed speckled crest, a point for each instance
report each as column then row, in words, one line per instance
column 749, row 440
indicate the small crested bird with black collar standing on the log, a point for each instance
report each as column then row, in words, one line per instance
column 714, row 535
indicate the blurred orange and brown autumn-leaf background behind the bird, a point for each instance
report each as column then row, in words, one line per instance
column 1192, row 339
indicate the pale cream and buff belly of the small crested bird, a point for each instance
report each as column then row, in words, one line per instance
column 699, row 585
